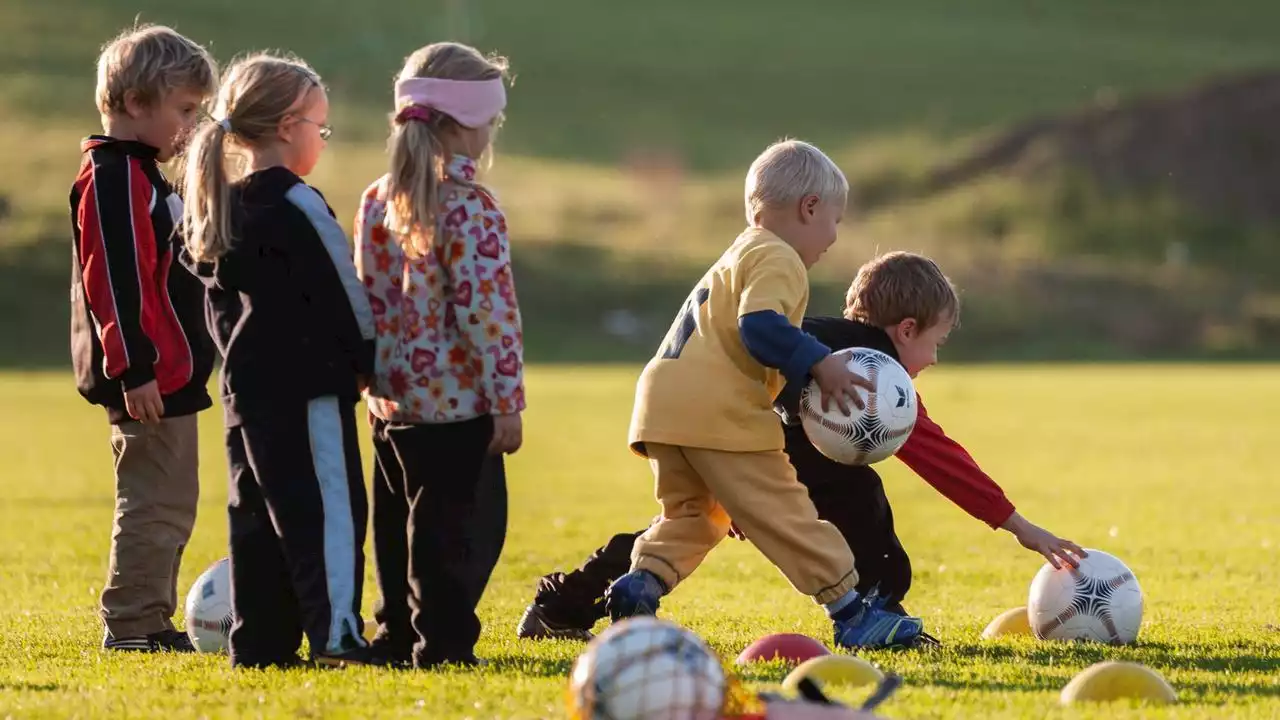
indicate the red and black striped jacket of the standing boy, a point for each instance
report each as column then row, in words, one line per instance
column 136, row 315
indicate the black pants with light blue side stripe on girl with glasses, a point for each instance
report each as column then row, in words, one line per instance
column 299, row 516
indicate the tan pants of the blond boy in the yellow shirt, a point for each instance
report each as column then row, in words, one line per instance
column 701, row 490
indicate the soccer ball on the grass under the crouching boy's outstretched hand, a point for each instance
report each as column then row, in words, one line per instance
column 1101, row 601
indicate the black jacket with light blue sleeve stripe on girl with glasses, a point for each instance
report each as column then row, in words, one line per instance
column 285, row 304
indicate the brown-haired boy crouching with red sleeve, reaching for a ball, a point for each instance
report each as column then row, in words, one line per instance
column 903, row 306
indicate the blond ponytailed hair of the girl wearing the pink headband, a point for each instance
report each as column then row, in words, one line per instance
column 417, row 149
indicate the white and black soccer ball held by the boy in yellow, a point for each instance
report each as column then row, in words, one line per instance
column 880, row 429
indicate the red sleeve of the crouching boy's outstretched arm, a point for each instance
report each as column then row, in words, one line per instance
column 949, row 468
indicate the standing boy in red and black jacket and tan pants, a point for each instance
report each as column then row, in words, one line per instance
column 140, row 347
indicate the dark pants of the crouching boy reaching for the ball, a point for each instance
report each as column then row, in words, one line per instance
column 857, row 507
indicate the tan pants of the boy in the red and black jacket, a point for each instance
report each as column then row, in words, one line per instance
column 157, row 489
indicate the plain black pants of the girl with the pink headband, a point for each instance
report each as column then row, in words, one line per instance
column 440, row 526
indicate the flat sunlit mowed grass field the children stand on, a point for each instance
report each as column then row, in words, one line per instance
column 1171, row 468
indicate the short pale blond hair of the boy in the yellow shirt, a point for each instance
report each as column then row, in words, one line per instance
column 787, row 172
